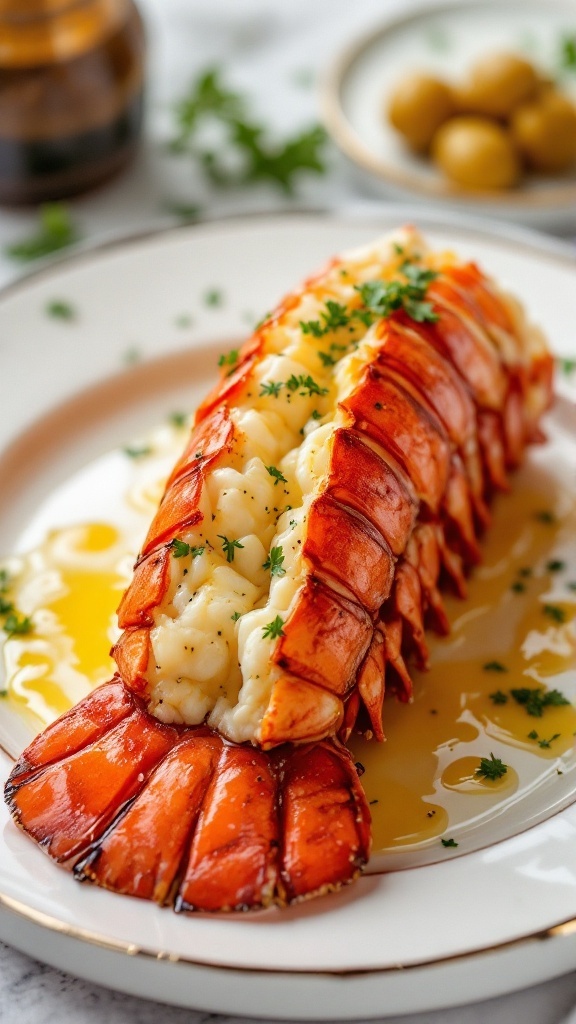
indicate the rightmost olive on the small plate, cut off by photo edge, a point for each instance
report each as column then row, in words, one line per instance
column 545, row 133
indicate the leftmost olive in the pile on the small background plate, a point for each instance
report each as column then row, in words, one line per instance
column 418, row 108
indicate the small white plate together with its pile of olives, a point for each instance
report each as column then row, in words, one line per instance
column 467, row 104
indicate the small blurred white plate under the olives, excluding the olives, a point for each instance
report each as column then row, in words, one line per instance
column 445, row 39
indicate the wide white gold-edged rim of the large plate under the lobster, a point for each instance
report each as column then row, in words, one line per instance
column 446, row 933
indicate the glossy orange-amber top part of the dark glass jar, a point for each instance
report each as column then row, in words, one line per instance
column 45, row 32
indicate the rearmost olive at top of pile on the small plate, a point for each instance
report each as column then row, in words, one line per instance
column 498, row 84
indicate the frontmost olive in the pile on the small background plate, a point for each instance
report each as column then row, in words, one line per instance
column 477, row 153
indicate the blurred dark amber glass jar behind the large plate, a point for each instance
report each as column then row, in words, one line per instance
column 71, row 96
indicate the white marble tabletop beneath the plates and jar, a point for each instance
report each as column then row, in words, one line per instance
column 271, row 51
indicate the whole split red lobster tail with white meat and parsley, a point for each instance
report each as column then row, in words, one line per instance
column 338, row 477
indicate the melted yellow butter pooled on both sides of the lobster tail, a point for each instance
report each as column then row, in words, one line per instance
column 422, row 782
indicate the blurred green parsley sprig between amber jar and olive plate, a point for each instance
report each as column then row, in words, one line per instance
column 210, row 105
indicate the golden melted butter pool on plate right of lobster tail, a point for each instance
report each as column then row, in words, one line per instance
column 420, row 783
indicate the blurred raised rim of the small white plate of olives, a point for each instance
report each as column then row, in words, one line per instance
column 550, row 198
